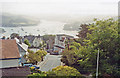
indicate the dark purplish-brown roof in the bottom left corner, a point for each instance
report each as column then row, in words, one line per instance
column 15, row 71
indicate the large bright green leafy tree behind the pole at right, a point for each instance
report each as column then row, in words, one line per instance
column 104, row 36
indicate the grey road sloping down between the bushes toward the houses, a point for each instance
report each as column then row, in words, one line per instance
column 50, row 62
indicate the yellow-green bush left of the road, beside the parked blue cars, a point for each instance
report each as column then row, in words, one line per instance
column 35, row 57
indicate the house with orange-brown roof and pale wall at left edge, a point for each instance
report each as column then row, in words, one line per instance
column 9, row 51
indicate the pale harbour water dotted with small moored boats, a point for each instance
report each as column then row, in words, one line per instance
column 43, row 28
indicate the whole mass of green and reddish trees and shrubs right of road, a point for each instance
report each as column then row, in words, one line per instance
column 102, row 35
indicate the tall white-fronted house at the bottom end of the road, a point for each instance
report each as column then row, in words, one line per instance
column 59, row 44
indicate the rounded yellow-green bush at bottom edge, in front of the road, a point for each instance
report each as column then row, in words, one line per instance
column 60, row 71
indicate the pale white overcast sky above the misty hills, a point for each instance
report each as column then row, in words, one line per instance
column 68, row 7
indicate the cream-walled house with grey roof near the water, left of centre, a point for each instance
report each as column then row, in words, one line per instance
column 34, row 40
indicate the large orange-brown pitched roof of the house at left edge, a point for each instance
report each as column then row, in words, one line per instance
column 9, row 49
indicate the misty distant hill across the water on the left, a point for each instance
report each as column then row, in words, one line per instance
column 9, row 20
